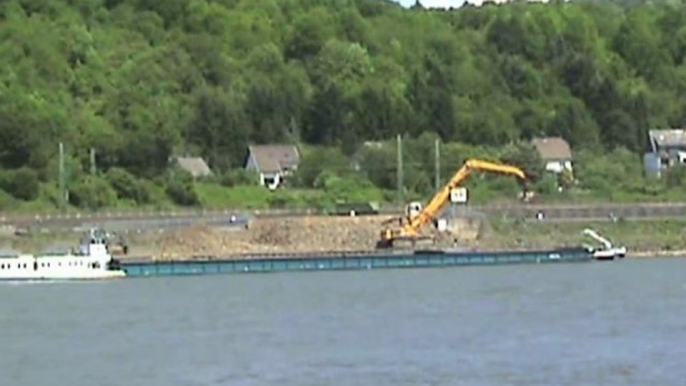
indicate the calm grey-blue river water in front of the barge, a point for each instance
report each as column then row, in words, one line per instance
column 612, row 323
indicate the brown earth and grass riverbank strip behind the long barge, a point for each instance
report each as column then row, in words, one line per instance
column 325, row 234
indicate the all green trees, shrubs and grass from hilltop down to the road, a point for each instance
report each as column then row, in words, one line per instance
column 129, row 87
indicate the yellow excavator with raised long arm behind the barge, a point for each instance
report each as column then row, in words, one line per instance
column 417, row 217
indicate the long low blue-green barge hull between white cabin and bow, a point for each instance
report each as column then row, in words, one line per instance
column 417, row 259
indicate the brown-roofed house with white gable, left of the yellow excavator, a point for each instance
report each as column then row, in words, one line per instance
column 272, row 163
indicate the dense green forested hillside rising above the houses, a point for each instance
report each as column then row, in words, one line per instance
column 141, row 80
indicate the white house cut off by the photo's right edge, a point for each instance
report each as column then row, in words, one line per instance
column 666, row 148
